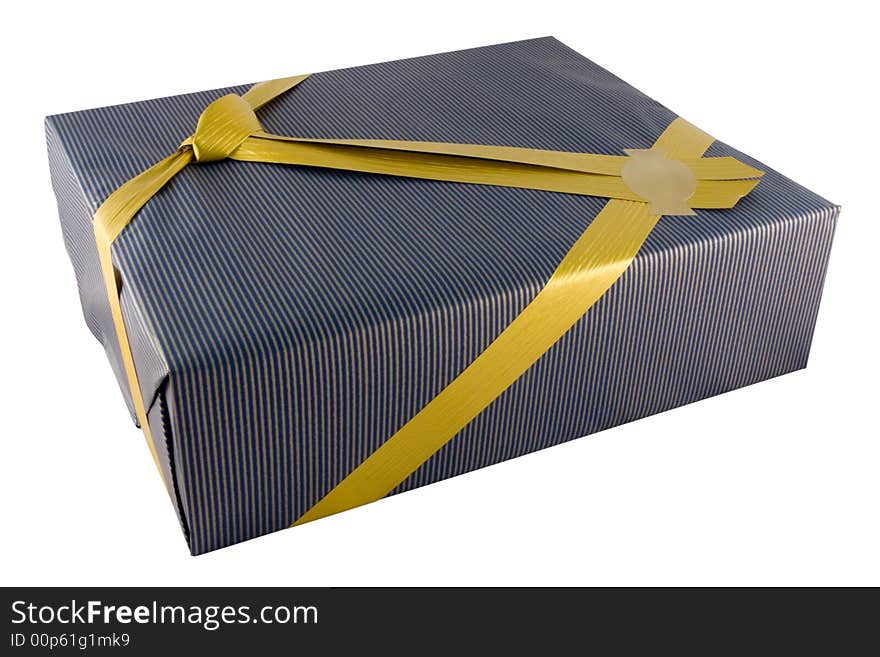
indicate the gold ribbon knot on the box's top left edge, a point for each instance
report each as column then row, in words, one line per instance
column 222, row 128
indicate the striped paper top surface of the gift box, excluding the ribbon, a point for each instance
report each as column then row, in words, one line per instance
column 238, row 259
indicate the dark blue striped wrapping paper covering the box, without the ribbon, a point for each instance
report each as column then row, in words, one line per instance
column 285, row 321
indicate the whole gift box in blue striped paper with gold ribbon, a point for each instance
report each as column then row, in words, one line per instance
column 417, row 278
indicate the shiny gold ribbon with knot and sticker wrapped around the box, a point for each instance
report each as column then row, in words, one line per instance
column 670, row 178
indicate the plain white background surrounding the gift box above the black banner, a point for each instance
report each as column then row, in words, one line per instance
column 773, row 484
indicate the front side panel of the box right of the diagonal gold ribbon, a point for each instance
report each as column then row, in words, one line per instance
column 678, row 327
